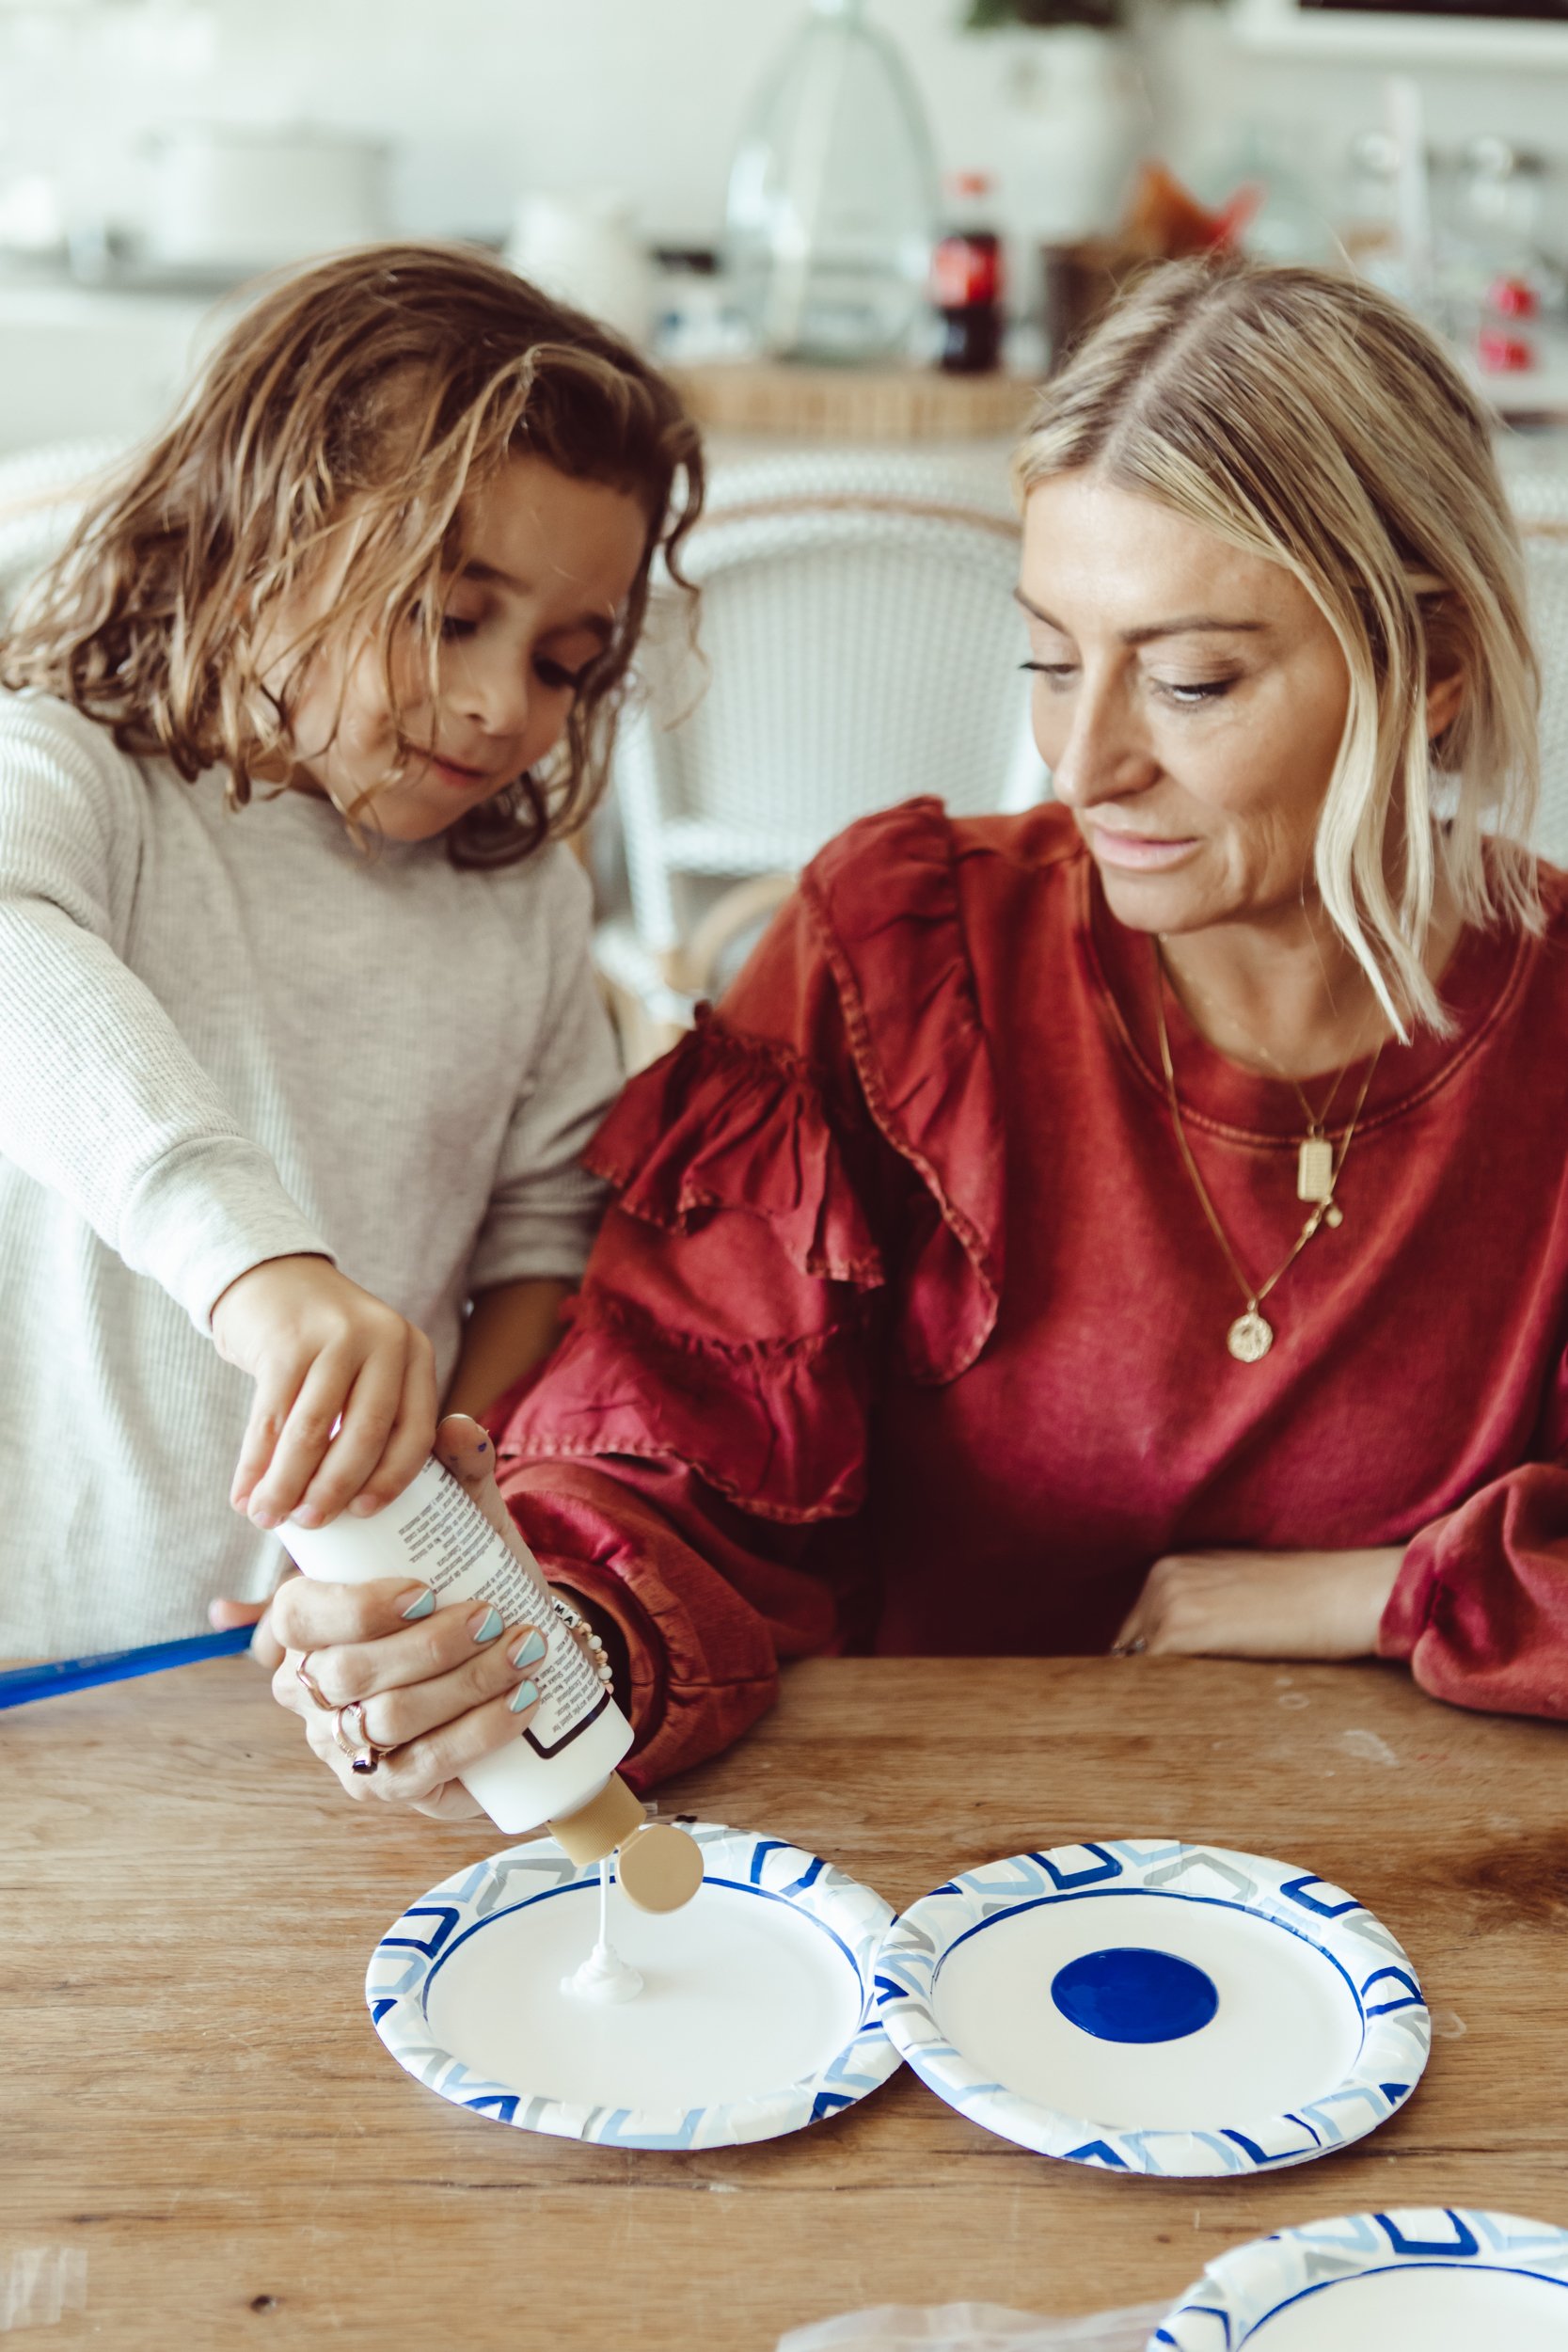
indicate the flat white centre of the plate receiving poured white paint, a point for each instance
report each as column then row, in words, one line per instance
column 742, row 1996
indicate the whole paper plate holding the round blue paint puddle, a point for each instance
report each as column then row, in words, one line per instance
column 1155, row 2007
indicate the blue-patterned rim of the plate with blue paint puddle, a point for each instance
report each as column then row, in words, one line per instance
column 1395, row 2024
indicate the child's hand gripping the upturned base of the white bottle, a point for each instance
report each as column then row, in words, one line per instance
column 319, row 1349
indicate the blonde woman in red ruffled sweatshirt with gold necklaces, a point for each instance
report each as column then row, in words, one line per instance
column 1139, row 1224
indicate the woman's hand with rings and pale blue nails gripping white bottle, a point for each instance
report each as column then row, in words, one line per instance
column 438, row 1688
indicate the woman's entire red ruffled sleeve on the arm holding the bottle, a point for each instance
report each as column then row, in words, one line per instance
column 808, row 1205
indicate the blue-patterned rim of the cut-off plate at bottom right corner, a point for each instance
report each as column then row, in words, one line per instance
column 1252, row 2283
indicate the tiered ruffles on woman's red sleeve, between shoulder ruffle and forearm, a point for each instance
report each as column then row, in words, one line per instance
column 728, row 1311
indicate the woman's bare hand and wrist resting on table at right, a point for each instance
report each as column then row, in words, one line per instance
column 1264, row 1605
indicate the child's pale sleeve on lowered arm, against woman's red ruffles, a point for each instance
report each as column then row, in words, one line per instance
column 544, row 1208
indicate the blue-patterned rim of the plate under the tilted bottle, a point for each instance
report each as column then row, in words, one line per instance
column 413, row 1951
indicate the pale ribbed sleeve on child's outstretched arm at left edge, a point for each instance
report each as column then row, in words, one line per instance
column 100, row 1095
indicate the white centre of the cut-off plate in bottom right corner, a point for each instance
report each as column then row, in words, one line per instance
column 1419, row 2308
